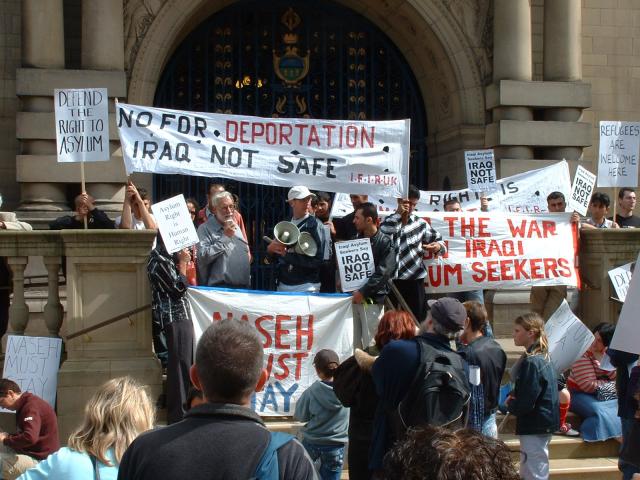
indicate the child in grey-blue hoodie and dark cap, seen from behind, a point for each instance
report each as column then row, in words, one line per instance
column 325, row 433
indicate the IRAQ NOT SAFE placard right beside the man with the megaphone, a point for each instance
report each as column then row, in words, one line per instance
column 355, row 263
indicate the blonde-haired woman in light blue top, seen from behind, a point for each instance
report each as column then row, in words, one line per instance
column 116, row 414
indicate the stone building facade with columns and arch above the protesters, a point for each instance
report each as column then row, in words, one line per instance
column 529, row 78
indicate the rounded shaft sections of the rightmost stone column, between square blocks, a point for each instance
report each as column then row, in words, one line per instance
column 563, row 62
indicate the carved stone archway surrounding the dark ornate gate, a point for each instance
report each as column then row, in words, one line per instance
column 447, row 43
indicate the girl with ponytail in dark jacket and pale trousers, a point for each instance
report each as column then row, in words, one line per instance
column 534, row 400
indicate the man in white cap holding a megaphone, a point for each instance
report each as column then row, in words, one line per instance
column 298, row 246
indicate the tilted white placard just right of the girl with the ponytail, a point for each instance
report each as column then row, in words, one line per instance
column 568, row 337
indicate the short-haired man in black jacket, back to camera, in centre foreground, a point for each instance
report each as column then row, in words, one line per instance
column 222, row 438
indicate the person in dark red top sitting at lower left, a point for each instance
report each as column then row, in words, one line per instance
column 36, row 434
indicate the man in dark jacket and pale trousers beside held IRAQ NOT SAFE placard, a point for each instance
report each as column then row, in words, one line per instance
column 368, row 300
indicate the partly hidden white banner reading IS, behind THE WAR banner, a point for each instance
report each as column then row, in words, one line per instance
column 523, row 193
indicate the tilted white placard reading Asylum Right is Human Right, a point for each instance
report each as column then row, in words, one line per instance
column 175, row 224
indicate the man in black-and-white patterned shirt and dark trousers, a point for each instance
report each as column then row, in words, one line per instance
column 412, row 237
